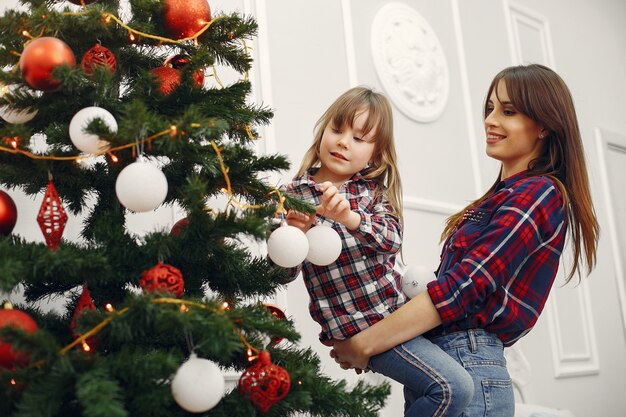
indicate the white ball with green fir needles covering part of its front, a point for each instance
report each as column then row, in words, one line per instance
column 88, row 142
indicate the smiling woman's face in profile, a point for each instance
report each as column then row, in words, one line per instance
column 512, row 137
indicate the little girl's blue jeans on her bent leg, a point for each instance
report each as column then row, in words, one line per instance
column 434, row 384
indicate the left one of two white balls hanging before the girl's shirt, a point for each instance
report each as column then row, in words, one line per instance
column 287, row 246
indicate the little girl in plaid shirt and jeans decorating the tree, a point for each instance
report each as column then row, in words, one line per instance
column 350, row 173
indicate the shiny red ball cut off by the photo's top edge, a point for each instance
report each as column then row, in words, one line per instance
column 184, row 18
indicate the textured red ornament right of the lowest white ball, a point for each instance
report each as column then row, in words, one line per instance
column 264, row 383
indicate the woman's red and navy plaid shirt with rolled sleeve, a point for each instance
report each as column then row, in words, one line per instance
column 498, row 267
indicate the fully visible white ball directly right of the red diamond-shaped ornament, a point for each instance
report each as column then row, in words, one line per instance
column 141, row 186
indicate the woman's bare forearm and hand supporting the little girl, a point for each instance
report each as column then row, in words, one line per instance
column 412, row 319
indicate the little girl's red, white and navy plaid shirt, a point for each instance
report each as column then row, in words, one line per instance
column 361, row 287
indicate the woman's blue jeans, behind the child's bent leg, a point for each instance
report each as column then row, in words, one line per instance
column 482, row 354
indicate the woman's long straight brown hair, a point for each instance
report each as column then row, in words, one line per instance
column 540, row 93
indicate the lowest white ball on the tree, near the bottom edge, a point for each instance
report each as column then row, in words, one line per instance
column 198, row 385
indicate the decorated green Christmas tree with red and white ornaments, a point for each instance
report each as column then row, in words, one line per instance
column 107, row 113
